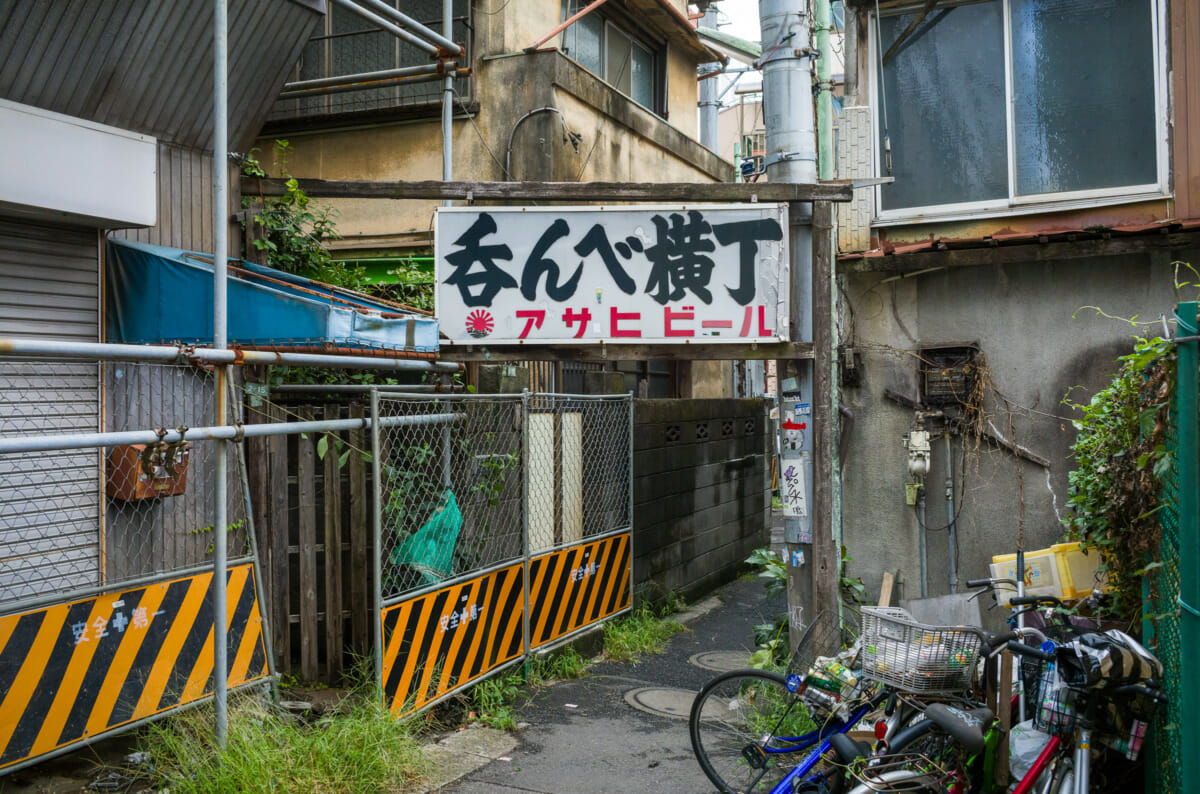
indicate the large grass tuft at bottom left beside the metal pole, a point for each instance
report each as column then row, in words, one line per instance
column 363, row 750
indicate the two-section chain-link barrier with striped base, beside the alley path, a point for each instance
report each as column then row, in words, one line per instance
column 503, row 526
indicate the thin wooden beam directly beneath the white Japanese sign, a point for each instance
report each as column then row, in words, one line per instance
column 626, row 352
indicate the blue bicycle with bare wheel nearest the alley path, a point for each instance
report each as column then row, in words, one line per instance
column 752, row 732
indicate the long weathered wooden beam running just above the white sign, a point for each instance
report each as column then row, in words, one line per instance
column 685, row 193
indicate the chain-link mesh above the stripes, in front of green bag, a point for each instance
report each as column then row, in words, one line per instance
column 460, row 496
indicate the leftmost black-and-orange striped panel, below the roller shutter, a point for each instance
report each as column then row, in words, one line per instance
column 76, row 671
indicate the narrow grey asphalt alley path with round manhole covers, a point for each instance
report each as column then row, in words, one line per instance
column 625, row 726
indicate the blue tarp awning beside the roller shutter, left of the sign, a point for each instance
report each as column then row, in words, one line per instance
column 165, row 296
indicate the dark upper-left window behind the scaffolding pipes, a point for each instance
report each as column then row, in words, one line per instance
column 345, row 44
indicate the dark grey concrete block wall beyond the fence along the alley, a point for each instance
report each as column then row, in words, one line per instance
column 701, row 492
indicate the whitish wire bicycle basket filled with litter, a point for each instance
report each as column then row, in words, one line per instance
column 916, row 658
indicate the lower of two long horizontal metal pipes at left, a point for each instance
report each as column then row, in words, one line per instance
column 215, row 434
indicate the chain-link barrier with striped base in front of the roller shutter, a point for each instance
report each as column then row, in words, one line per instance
column 106, row 576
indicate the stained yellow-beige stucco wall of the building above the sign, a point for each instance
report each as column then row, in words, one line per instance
column 622, row 142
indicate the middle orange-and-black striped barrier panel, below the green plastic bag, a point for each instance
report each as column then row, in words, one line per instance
column 440, row 641
